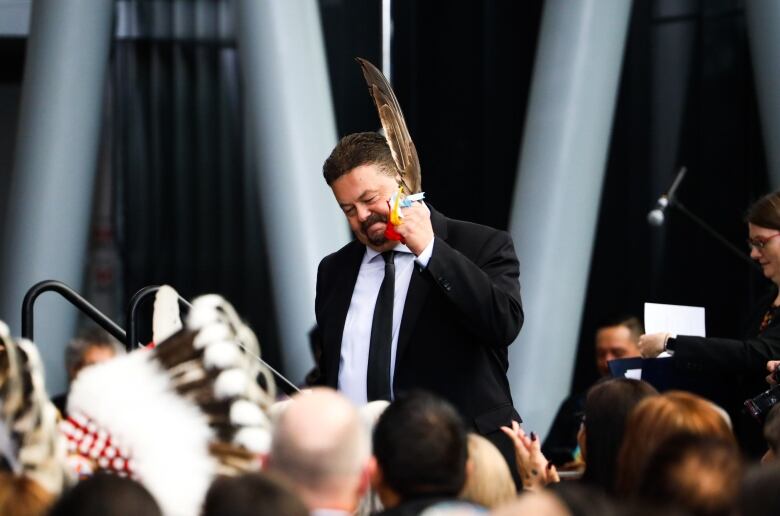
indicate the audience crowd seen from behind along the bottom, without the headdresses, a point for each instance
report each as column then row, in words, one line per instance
column 643, row 453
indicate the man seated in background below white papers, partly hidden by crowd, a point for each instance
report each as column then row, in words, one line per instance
column 616, row 337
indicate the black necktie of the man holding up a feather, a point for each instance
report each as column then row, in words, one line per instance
column 378, row 374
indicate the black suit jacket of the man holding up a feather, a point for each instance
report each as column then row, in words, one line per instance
column 461, row 313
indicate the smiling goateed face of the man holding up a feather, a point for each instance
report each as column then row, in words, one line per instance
column 362, row 194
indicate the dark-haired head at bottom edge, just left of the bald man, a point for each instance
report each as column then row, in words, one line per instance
column 252, row 494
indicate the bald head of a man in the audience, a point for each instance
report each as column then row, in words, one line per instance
column 322, row 446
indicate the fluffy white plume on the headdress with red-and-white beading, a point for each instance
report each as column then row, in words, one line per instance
column 167, row 436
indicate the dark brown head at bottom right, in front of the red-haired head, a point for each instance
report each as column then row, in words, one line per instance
column 698, row 473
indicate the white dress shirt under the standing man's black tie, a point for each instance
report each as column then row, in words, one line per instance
column 356, row 339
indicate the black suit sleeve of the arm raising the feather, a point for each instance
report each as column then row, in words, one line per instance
column 485, row 293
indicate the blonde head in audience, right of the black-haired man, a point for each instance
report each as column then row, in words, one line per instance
column 489, row 481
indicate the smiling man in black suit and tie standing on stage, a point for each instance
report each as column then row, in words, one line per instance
column 456, row 305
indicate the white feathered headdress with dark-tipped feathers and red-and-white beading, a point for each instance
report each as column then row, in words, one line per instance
column 177, row 415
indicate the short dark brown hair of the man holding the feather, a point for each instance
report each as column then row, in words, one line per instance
column 355, row 150
